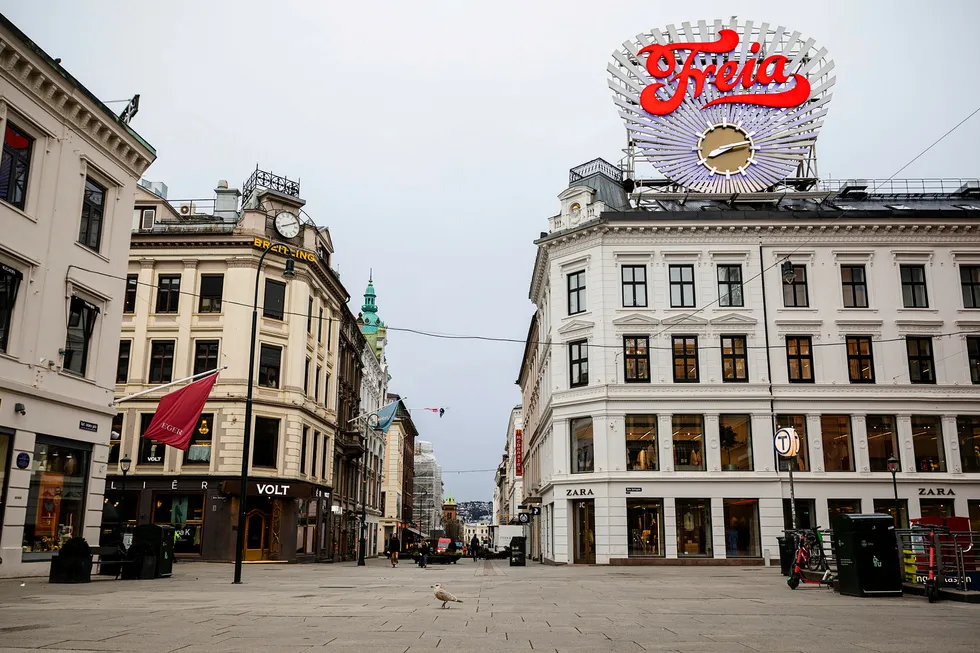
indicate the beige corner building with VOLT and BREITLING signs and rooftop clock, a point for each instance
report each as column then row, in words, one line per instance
column 188, row 309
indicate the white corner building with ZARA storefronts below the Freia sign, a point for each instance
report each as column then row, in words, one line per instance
column 667, row 345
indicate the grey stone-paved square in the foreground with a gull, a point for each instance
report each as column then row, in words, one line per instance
column 334, row 608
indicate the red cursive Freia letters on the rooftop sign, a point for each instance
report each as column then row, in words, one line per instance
column 725, row 77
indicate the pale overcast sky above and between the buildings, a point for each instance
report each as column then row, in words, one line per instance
column 433, row 137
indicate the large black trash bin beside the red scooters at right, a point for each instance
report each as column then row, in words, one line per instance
column 867, row 556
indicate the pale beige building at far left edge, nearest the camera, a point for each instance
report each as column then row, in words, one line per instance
column 67, row 179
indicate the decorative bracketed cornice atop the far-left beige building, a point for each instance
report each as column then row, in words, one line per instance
column 36, row 79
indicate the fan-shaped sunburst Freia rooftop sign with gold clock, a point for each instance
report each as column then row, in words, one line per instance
column 723, row 108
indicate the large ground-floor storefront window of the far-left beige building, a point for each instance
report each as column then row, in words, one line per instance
column 56, row 500
